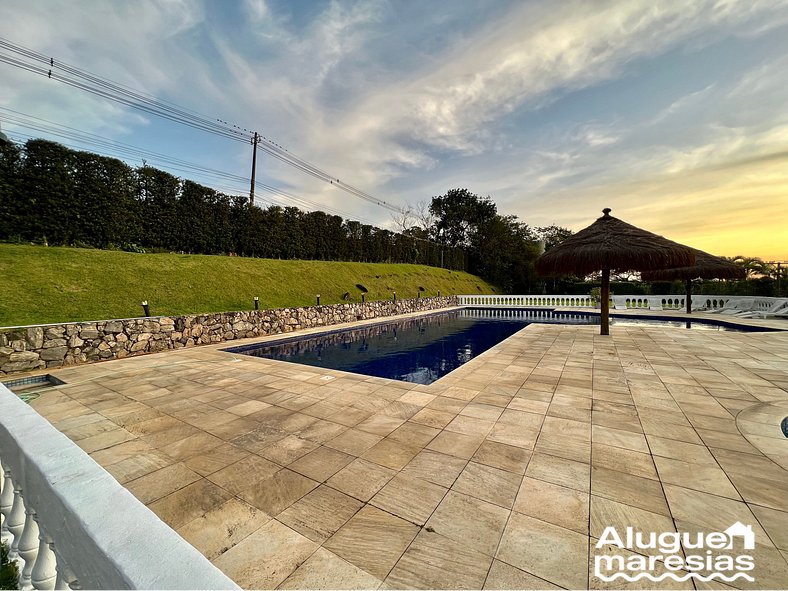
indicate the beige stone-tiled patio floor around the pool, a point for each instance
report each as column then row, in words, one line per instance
column 501, row 475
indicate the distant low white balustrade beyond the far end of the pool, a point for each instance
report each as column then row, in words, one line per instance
column 617, row 302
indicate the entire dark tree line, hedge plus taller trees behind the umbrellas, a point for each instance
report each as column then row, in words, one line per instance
column 55, row 195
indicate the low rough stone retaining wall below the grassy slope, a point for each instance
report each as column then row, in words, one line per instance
column 29, row 348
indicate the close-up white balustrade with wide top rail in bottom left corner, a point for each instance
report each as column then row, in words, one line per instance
column 70, row 525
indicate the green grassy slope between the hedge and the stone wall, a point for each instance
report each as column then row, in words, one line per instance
column 46, row 284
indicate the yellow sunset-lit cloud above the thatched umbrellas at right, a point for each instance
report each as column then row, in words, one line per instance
column 718, row 197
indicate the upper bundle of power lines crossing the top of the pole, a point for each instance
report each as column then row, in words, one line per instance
column 37, row 63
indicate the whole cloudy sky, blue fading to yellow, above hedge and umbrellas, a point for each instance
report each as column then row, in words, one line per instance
column 673, row 114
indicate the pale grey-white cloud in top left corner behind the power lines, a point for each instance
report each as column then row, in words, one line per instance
column 72, row 35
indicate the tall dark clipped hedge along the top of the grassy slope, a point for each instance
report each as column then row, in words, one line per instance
column 59, row 196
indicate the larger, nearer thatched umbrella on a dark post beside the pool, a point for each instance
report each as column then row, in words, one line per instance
column 608, row 244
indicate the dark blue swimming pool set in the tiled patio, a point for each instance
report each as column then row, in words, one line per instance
column 426, row 348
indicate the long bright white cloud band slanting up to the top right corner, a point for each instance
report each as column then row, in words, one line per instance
column 538, row 52
